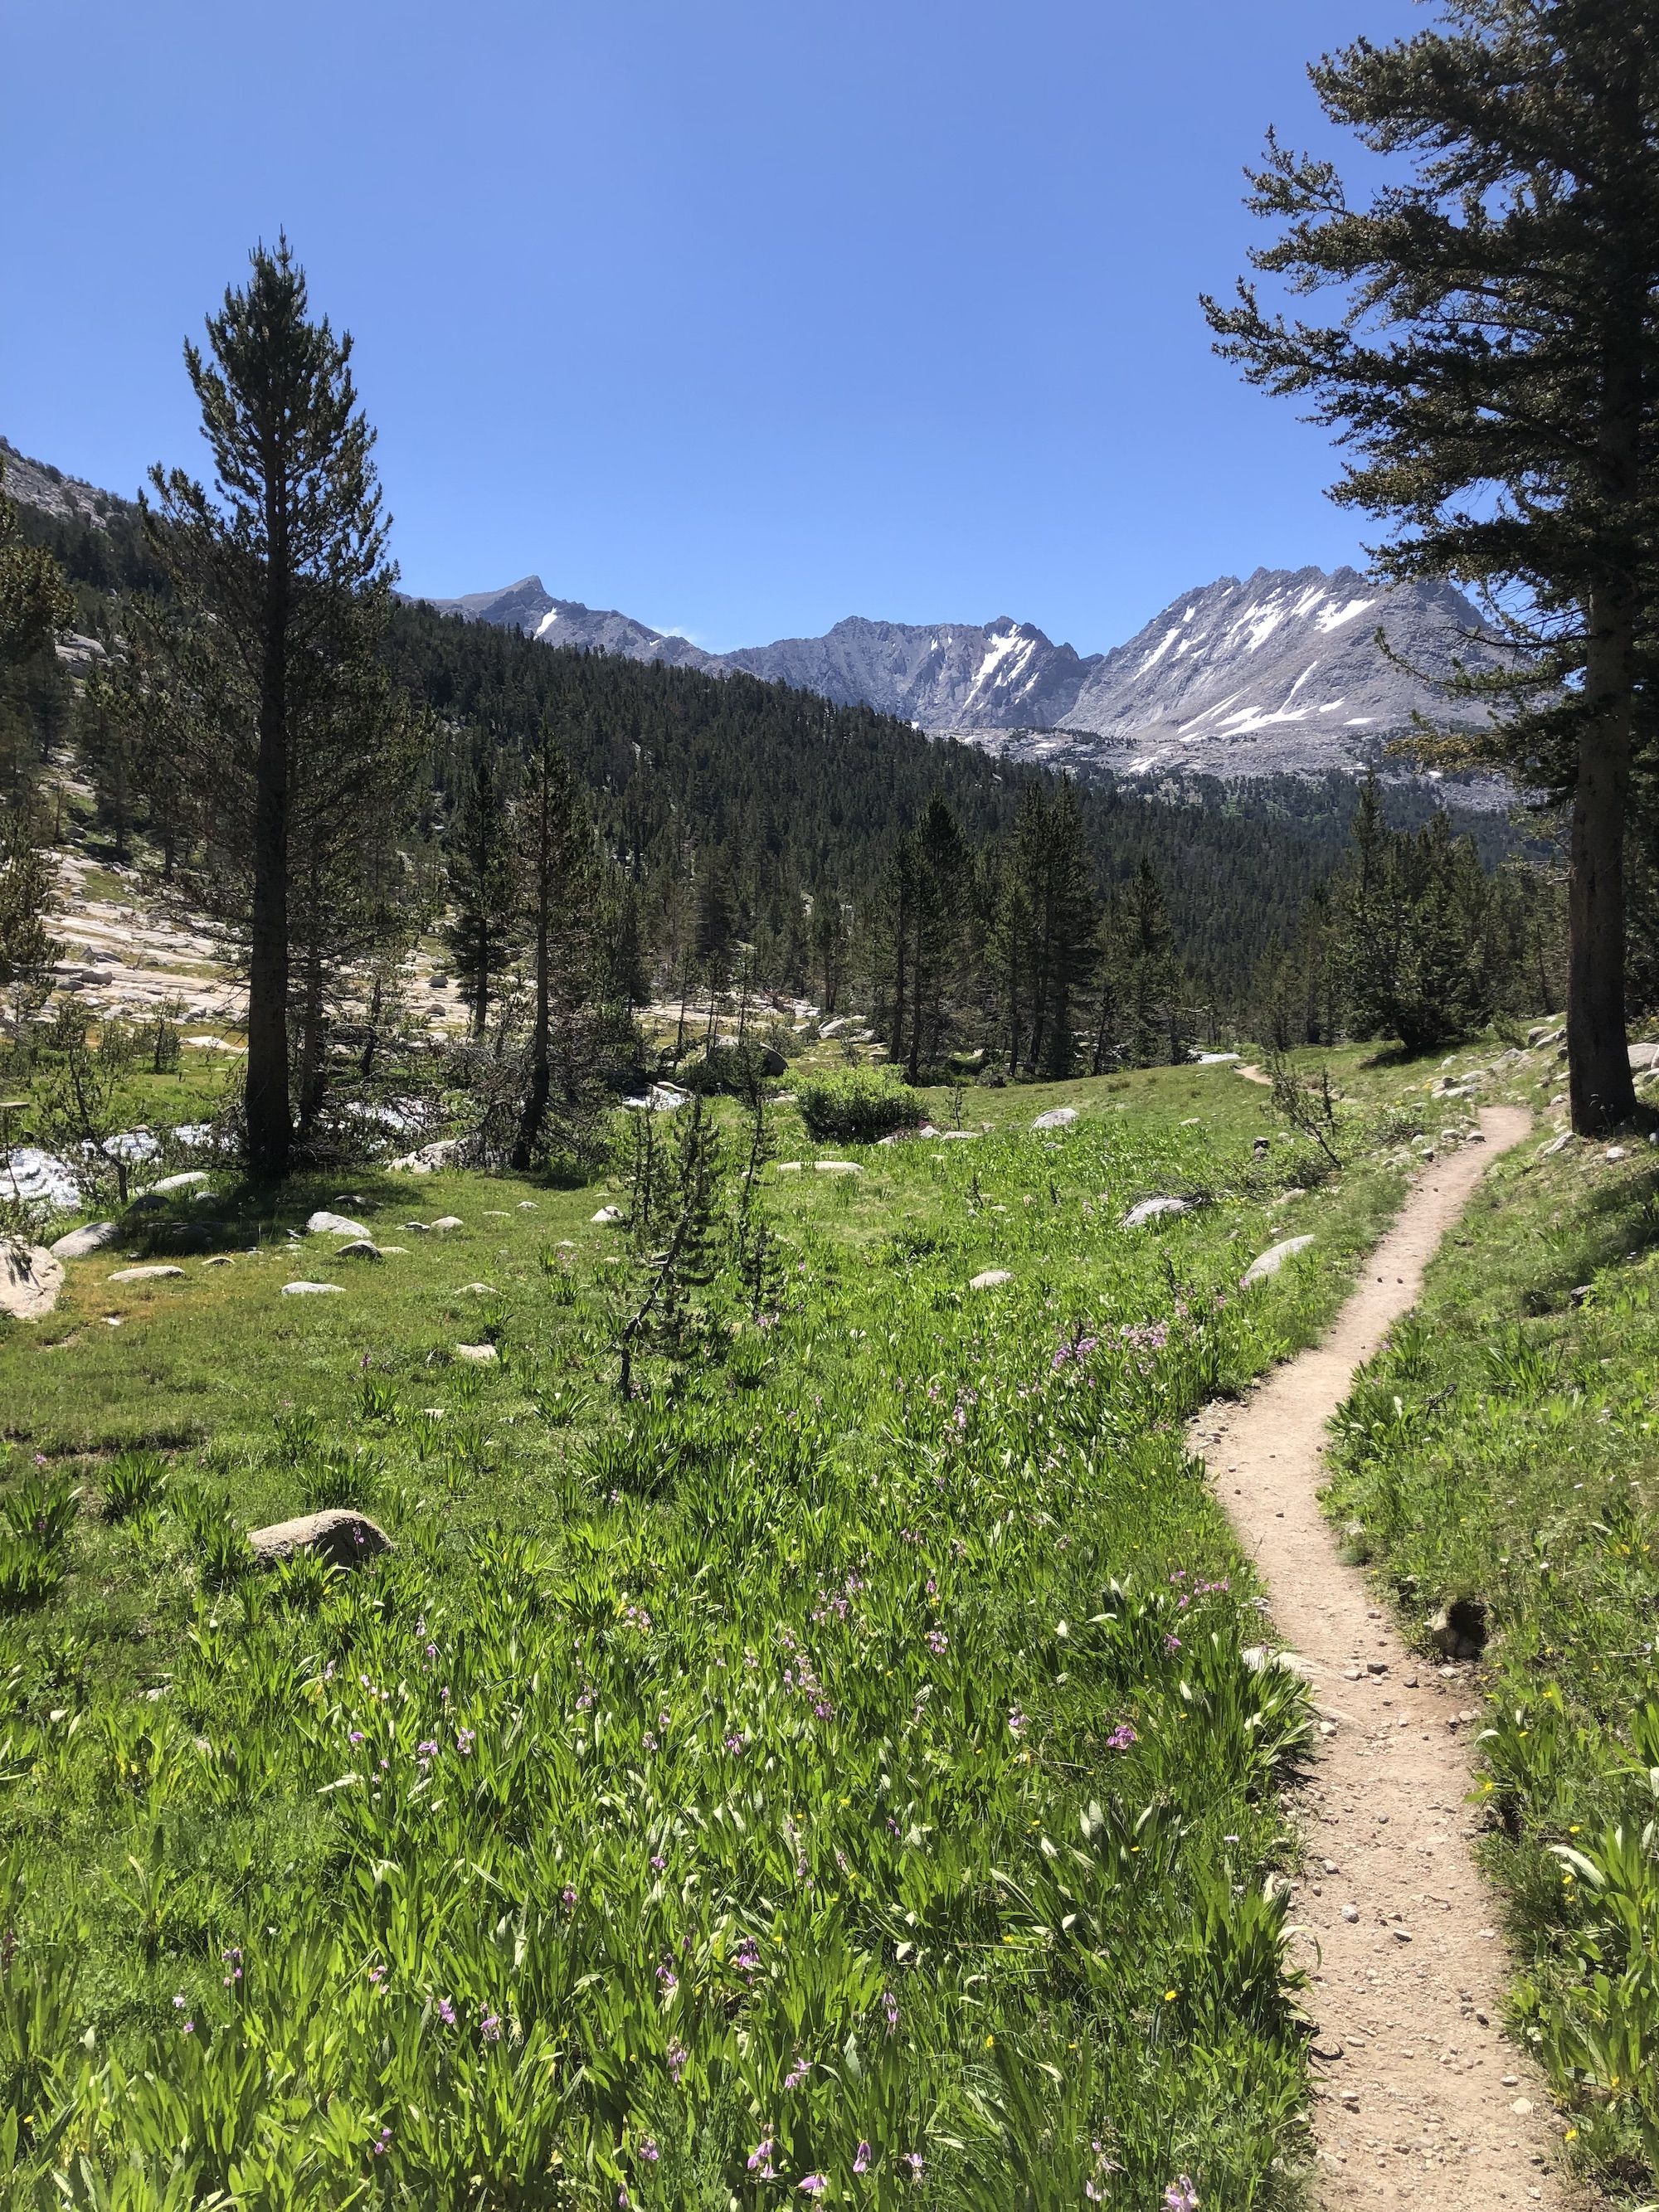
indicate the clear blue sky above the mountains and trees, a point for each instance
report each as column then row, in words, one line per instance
column 738, row 315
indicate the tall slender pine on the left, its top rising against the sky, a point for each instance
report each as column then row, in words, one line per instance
column 271, row 651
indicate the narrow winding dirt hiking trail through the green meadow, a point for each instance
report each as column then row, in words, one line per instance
column 1419, row 2096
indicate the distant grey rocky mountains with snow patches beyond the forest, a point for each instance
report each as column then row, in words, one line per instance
column 1277, row 674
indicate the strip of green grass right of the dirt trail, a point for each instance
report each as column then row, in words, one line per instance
column 1507, row 1448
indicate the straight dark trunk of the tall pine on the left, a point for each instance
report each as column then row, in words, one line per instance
column 267, row 1087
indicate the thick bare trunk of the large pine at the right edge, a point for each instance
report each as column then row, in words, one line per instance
column 1598, row 1056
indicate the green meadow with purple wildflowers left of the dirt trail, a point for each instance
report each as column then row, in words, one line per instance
column 853, row 1749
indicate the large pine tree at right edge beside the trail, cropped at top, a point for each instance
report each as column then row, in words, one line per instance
column 1496, row 379
